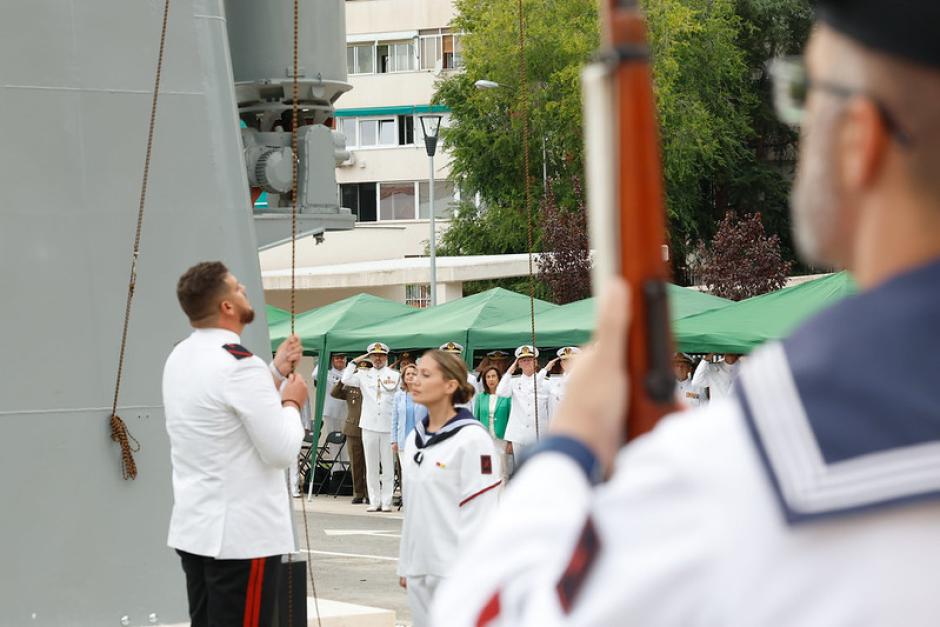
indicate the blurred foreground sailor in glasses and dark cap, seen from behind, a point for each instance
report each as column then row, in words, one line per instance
column 811, row 497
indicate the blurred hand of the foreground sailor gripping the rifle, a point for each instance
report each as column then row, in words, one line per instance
column 596, row 398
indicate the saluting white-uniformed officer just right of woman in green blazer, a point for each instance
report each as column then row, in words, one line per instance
column 521, row 430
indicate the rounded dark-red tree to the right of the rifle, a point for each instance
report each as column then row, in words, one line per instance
column 741, row 260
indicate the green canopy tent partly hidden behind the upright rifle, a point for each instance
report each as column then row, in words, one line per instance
column 573, row 324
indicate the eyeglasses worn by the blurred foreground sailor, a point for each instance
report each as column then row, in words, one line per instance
column 792, row 85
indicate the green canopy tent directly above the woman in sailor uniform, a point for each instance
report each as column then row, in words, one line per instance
column 434, row 326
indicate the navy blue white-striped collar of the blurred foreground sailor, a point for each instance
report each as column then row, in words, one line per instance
column 846, row 412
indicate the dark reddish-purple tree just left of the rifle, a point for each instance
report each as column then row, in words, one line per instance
column 565, row 265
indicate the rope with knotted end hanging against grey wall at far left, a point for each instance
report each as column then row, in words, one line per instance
column 119, row 431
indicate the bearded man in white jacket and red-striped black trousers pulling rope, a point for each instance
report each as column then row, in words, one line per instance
column 231, row 438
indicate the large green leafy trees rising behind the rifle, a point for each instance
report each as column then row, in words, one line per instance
column 722, row 147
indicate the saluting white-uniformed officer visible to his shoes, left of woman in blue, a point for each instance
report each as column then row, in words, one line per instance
column 378, row 386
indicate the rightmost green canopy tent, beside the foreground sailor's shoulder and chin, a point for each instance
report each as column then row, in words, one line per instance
column 742, row 326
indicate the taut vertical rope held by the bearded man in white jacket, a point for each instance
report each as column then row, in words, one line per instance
column 295, row 122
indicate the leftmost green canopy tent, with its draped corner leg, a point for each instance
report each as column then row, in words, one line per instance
column 313, row 327
